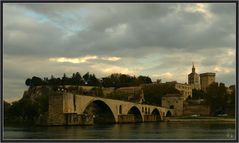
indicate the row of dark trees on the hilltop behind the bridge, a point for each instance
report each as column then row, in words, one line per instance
column 114, row 80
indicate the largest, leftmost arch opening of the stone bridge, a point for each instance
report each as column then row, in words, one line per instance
column 101, row 110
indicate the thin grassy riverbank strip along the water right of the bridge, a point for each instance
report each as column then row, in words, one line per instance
column 200, row 118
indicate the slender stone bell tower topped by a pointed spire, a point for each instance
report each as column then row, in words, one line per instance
column 193, row 79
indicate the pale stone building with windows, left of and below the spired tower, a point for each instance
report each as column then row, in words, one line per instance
column 184, row 88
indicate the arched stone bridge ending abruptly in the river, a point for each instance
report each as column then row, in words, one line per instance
column 72, row 109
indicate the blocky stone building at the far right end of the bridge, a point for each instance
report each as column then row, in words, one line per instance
column 173, row 101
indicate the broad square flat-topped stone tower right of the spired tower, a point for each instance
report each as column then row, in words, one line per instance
column 206, row 79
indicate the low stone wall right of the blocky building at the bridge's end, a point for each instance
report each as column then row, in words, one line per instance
column 196, row 109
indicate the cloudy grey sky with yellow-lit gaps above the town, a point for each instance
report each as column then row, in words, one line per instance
column 156, row 40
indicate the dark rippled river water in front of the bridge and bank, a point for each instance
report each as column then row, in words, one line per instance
column 153, row 130
